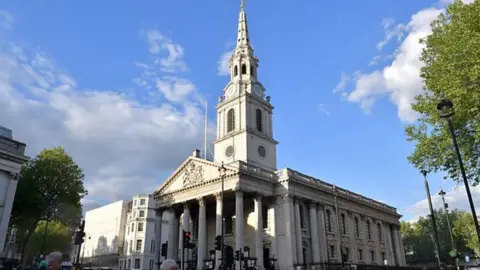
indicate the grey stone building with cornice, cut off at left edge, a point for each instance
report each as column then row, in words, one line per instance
column 12, row 156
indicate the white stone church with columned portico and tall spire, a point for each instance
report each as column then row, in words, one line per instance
column 276, row 216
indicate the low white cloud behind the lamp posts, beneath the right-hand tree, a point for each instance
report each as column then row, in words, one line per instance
column 456, row 199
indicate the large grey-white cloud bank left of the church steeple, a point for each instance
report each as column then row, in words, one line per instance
column 123, row 145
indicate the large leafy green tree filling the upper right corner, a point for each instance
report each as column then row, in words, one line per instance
column 451, row 70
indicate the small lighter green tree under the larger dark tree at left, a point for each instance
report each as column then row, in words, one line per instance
column 58, row 238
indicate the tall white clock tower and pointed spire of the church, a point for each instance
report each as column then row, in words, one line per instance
column 244, row 113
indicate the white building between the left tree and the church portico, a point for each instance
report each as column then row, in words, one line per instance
column 121, row 235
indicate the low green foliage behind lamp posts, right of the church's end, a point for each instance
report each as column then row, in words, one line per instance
column 418, row 236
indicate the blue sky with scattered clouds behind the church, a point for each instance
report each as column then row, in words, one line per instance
column 121, row 85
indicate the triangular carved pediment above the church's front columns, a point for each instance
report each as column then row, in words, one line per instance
column 193, row 171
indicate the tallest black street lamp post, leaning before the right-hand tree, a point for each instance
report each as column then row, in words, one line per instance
column 445, row 108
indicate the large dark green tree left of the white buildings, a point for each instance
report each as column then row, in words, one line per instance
column 50, row 189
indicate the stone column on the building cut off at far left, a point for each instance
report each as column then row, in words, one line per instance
column 7, row 207
